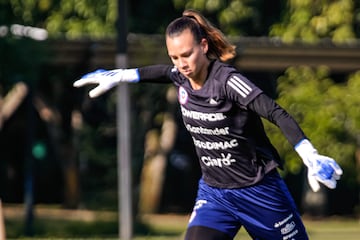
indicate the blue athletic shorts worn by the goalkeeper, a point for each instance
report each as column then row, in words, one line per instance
column 266, row 210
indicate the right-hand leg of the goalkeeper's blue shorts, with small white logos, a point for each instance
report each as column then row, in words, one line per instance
column 268, row 211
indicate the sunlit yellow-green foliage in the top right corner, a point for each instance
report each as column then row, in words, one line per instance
column 309, row 21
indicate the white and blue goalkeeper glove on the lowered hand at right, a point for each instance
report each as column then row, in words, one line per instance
column 320, row 168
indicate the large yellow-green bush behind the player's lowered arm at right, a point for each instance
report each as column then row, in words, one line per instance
column 327, row 113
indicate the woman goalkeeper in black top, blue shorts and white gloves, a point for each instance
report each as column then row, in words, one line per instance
column 240, row 185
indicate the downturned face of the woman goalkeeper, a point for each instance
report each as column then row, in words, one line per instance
column 187, row 55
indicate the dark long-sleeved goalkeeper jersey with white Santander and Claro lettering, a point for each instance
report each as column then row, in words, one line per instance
column 223, row 118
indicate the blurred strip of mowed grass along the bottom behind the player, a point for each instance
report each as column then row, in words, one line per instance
column 93, row 225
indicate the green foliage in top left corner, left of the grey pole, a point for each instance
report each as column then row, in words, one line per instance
column 65, row 18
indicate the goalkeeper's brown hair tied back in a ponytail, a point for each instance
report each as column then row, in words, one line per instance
column 219, row 46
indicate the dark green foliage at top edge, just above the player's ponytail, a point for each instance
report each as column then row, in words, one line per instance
column 237, row 17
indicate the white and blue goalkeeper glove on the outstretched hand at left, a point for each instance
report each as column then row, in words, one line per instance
column 107, row 79
